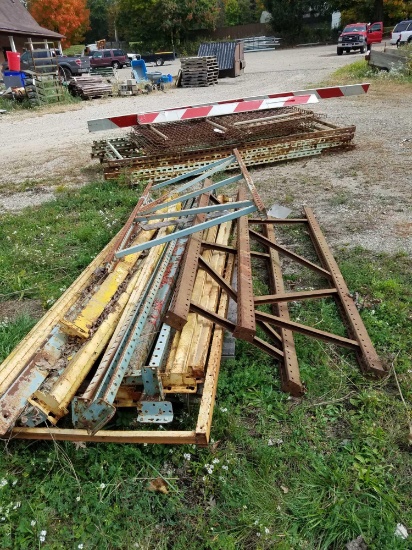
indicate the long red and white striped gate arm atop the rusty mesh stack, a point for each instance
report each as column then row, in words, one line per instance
column 230, row 106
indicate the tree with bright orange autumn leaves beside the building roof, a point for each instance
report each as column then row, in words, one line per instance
column 68, row 17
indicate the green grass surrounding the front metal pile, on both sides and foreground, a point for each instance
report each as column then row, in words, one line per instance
column 288, row 474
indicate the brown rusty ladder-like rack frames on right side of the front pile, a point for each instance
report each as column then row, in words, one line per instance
column 278, row 325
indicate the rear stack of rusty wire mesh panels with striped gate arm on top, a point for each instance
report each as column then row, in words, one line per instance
column 265, row 130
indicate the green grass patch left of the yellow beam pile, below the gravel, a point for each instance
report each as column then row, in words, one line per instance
column 43, row 249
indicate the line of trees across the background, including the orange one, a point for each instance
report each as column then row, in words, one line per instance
column 161, row 23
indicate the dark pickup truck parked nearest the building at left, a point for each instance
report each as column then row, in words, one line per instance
column 68, row 66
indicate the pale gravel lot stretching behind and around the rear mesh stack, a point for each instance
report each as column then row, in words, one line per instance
column 362, row 197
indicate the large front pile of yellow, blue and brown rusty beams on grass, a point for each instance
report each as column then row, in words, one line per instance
column 143, row 326
